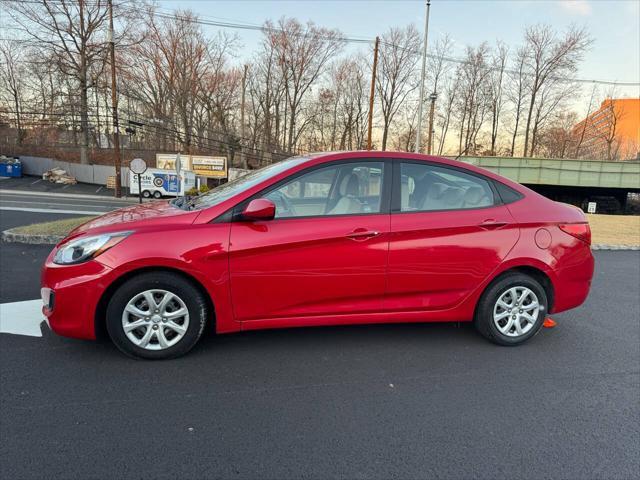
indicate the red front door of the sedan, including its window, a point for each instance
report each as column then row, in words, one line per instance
column 325, row 253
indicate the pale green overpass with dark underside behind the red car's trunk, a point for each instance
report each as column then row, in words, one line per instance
column 573, row 181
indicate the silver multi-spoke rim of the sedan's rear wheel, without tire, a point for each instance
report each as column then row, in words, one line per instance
column 516, row 311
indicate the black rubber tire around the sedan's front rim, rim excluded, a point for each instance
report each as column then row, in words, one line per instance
column 194, row 301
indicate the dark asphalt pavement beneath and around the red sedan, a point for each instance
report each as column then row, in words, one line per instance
column 400, row 401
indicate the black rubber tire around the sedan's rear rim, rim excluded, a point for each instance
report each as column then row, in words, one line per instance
column 484, row 311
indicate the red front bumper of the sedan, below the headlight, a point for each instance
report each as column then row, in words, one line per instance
column 75, row 291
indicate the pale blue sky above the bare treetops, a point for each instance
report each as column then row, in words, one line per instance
column 614, row 25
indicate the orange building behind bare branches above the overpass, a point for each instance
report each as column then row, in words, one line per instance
column 612, row 132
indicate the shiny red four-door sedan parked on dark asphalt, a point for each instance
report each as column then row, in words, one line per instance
column 326, row 239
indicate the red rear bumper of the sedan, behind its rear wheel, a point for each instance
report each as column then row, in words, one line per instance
column 573, row 280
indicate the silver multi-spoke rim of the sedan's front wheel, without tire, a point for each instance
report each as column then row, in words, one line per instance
column 155, row 319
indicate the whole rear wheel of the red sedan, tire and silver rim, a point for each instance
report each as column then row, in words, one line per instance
column 511, row 310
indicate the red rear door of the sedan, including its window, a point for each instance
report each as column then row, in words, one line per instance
column 449, row 232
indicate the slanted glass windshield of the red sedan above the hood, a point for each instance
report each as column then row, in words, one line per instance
column 241, row 184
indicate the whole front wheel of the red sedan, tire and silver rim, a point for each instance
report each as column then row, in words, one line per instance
column 156, row 315
